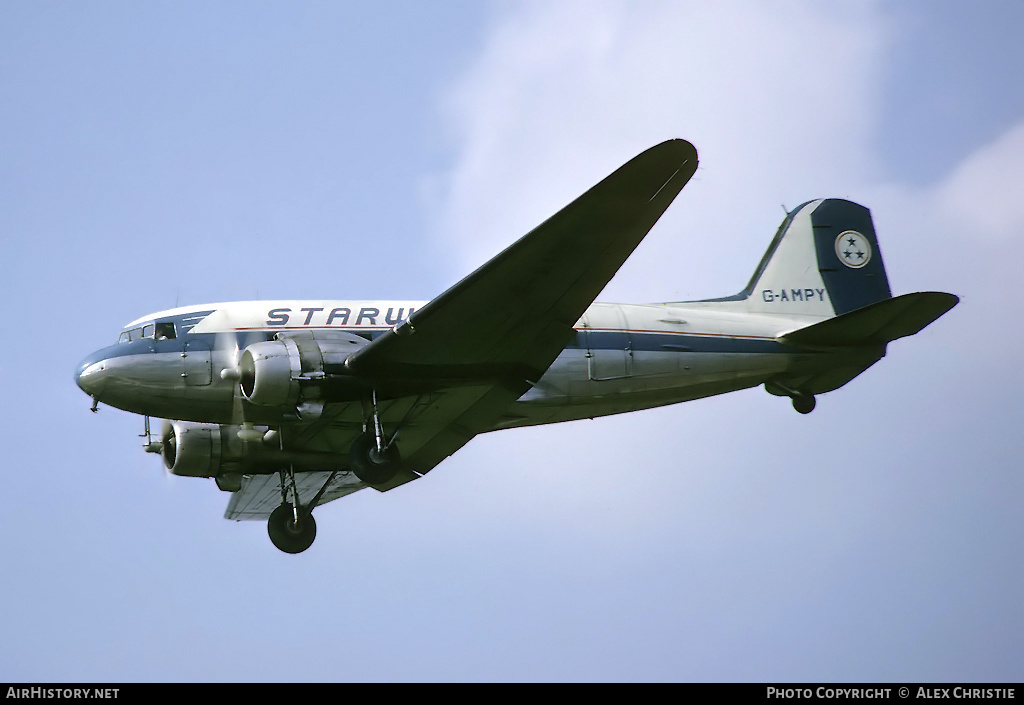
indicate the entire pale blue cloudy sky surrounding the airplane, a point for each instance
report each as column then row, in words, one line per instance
column 159, row 153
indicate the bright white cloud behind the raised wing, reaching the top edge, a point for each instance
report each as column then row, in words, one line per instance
column 779, row 99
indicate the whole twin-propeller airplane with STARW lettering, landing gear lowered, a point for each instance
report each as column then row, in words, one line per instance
column 290, row 405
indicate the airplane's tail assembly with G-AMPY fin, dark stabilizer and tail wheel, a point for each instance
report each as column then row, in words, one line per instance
column 825, row 262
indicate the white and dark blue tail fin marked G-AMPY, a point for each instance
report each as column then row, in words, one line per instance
column 825, row 261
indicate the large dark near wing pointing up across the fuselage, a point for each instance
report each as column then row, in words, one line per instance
column 486, row 341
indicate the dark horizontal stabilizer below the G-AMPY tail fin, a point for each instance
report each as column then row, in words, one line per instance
column 876, row 324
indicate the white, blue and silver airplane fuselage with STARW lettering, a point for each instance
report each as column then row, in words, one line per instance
column 624, row 357
